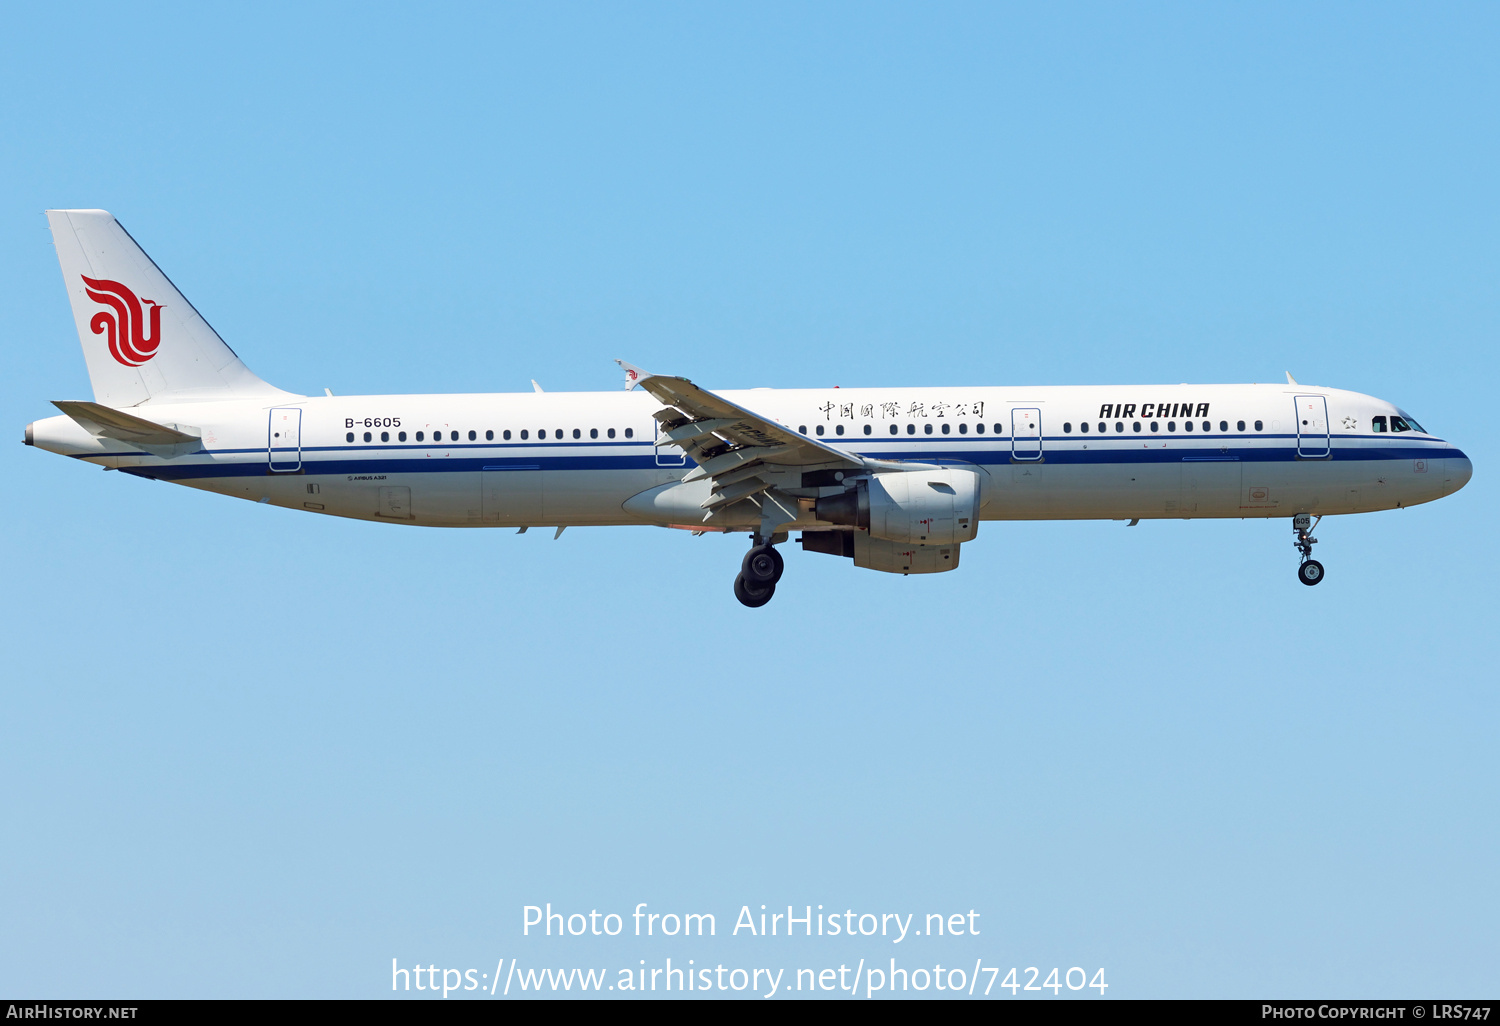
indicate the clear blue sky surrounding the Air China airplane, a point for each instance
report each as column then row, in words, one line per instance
column 254, row 754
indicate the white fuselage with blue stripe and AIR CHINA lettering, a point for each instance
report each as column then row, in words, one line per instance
column 523, row 460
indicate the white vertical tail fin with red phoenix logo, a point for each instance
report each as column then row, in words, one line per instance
column 142, row 338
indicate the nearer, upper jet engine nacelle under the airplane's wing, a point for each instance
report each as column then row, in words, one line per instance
column 910, row 508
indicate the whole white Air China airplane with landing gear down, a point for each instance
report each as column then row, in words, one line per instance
column 893, row 479
